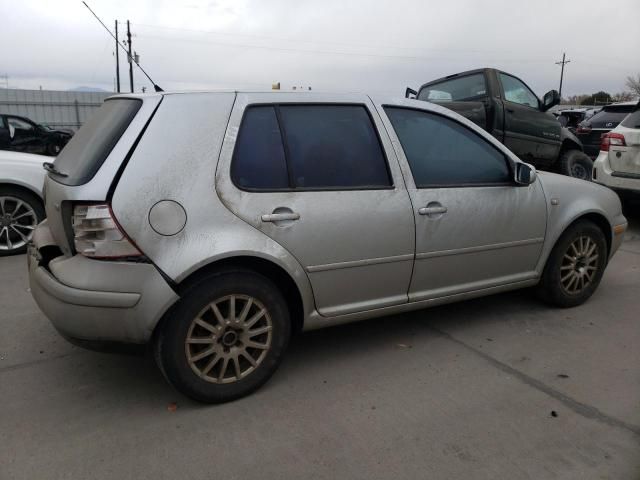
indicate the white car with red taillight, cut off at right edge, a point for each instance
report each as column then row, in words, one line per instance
column 618, row 164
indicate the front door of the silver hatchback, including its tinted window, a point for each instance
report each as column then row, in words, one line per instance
column 475, row 228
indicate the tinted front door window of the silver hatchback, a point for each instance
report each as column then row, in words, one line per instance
column 443, row 152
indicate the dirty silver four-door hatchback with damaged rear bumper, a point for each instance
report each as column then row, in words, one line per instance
column 215, row 225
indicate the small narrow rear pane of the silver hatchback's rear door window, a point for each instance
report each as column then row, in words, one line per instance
column 259, row 160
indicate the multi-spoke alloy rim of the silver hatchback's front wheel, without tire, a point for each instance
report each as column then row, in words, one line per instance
column 579, row 265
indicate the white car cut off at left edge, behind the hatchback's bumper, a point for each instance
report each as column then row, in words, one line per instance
column 21, row 204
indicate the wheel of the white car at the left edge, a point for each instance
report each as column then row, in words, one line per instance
column 20, row 213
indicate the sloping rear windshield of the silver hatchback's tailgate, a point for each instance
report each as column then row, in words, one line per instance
column 89, row 148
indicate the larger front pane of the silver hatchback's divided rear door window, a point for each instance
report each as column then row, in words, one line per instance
column 333, row 146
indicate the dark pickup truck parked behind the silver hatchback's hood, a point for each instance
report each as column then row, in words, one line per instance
column 507, row 108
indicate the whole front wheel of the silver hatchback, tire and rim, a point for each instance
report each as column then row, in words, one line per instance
column 575, row 266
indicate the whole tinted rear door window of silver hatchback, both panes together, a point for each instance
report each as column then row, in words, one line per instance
column 312, row 147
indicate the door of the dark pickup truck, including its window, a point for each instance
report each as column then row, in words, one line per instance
column 533, row 135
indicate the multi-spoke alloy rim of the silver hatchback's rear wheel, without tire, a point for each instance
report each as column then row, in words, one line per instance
column 229, row 339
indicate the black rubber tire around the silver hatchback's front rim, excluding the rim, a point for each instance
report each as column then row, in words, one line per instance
column 550, row 286
